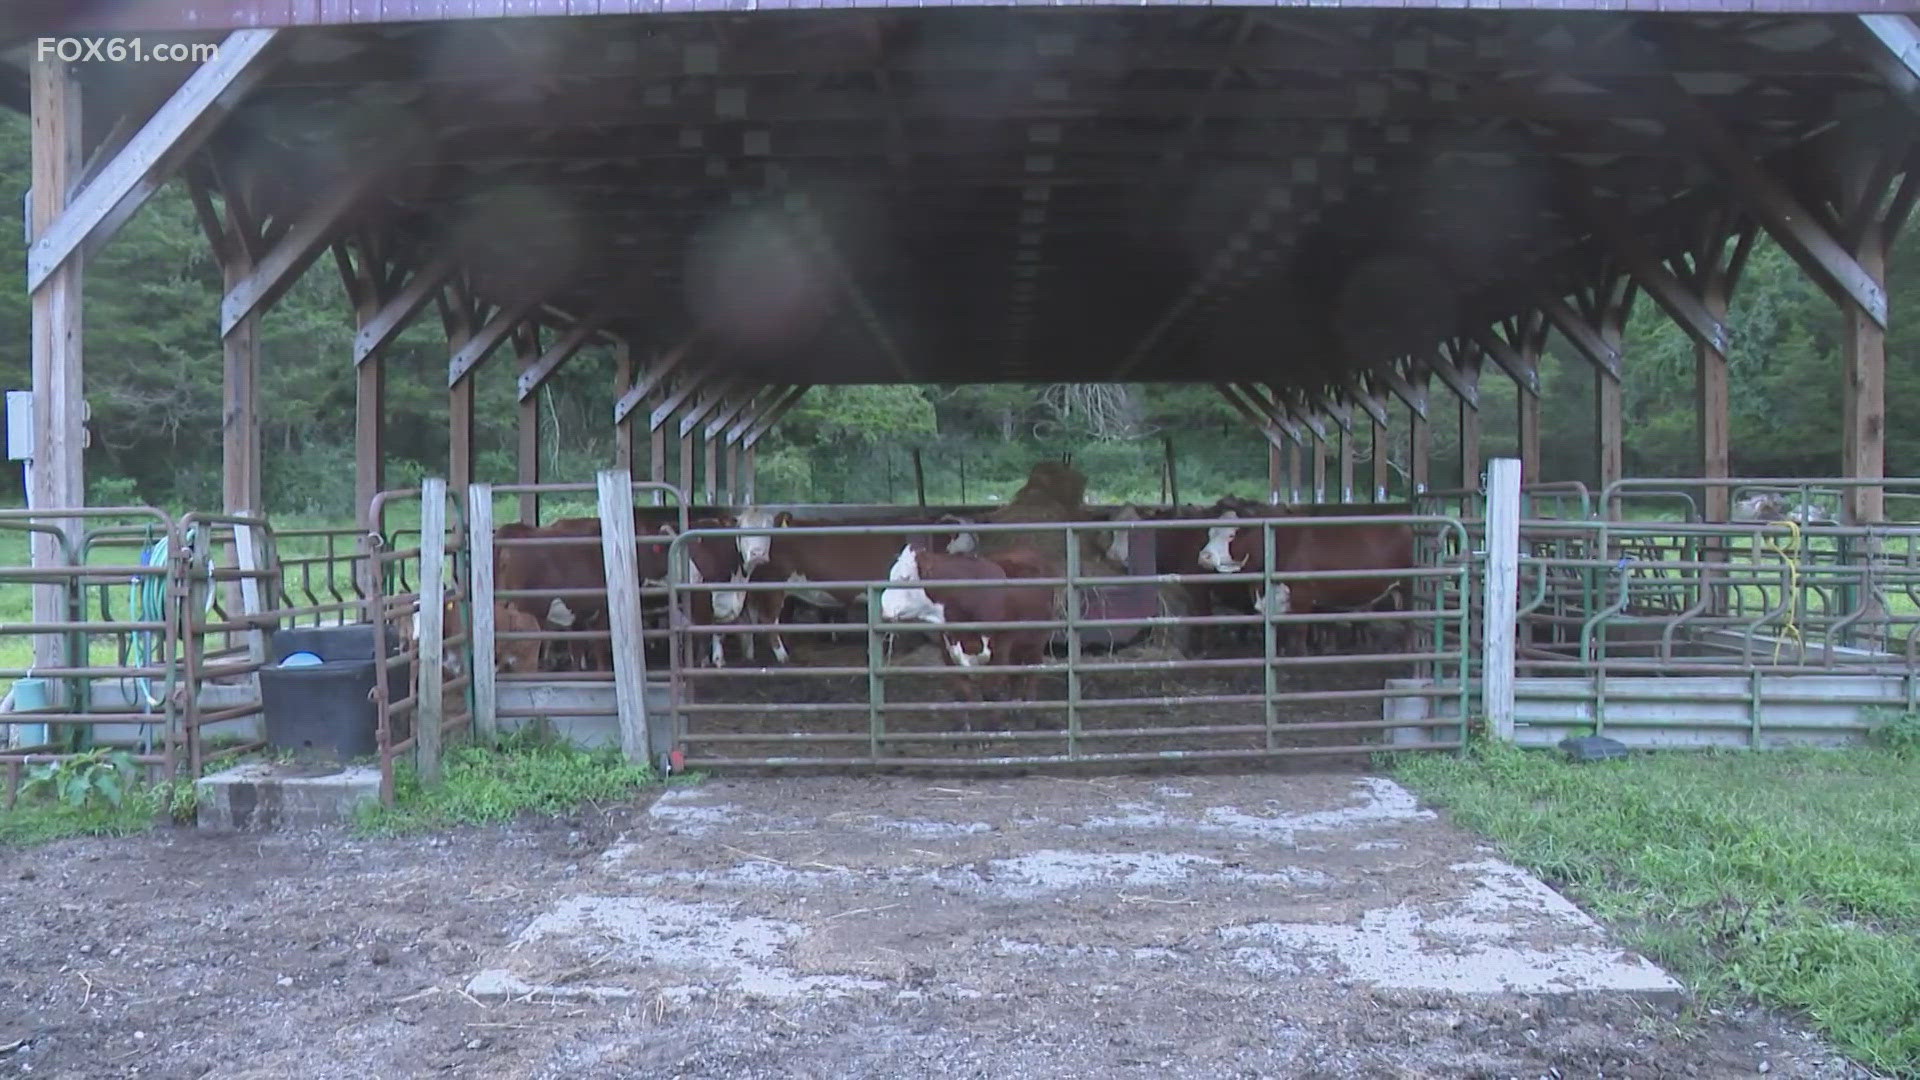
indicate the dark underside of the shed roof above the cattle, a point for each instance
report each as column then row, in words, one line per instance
column 971, row 195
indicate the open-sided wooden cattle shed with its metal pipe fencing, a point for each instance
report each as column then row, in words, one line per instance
column 1333, row 218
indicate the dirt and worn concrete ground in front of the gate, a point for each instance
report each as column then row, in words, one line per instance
column 848, row 927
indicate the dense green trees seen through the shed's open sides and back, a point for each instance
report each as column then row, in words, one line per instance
column 155, row 383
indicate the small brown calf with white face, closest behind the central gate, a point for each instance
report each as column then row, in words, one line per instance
column 921, row 599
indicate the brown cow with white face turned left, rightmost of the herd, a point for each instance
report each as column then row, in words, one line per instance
column 1308, row 549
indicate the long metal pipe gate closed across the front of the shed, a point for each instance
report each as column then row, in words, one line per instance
column 861, row 702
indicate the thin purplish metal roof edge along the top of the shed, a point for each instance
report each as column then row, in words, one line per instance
column 155, row 16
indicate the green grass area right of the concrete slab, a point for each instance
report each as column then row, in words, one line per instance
column 1785, row 877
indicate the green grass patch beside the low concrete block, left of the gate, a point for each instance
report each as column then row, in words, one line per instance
column 494, row 787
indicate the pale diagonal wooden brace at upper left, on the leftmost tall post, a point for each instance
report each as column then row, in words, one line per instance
column 139, row 170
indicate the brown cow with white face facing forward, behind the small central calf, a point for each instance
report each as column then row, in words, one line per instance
column 779, row 556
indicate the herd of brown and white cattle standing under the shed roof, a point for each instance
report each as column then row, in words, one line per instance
column 552, row 577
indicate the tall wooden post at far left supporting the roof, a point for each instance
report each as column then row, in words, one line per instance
column 57, row 478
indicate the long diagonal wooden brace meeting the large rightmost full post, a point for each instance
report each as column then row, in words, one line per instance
column 1787, row 220
